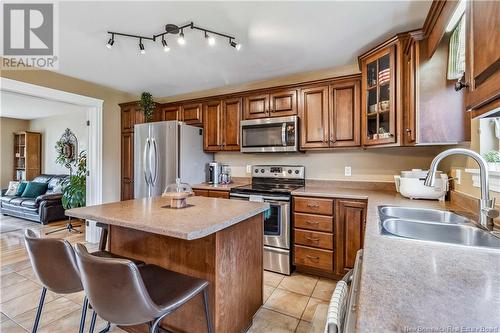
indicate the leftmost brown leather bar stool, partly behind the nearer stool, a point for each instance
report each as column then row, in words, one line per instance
column 54, row 263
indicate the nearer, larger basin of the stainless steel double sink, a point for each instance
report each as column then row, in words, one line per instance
column 440, row 232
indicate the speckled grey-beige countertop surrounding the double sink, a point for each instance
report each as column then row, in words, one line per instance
column 415, row 286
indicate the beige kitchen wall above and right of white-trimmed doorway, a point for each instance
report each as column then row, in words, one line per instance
column 111, row 118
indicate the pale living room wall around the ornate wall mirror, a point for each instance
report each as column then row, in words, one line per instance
column 52, row 128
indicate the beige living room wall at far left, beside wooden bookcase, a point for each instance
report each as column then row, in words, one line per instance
column 7, row 127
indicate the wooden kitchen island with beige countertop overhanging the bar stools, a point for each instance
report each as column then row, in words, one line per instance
column 215, row 239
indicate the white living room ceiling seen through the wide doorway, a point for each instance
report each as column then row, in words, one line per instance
column 14, row 105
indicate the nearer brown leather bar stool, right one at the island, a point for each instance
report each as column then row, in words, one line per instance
column 125, row 294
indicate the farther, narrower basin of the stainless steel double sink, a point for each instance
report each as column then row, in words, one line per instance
column 422, row 214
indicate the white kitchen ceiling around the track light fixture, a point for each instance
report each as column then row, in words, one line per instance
column 278, row 38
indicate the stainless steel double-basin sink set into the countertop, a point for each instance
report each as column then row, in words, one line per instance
column 434, row 225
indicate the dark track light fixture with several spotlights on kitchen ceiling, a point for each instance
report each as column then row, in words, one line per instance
column 174, row 30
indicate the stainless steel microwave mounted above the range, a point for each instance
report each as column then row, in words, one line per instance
column 270, row 135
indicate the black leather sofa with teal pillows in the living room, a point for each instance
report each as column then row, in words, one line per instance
column 44, row 208
